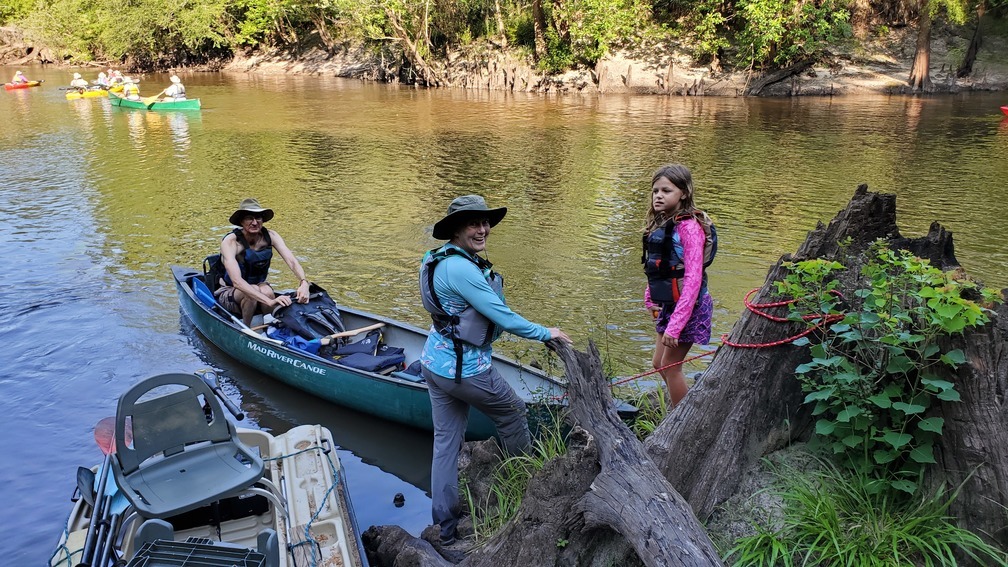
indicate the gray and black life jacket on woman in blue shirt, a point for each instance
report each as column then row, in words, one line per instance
column 470, row 326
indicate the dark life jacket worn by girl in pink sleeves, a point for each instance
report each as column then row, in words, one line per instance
column 663, row 259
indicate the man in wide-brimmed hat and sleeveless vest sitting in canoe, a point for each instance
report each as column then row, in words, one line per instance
column 246, row 254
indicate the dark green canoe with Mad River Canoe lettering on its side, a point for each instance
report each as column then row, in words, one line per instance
column 397, row 397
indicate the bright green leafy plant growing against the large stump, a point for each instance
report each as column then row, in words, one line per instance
column 876, row 374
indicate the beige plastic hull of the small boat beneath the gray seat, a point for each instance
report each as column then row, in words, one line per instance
column 311, row 477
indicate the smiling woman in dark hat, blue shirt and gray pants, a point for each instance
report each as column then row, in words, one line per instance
column 466, row 301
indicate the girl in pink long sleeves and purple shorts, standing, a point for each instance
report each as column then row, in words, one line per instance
column 677, row 238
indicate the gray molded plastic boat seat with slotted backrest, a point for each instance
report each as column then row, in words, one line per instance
column 185, row 452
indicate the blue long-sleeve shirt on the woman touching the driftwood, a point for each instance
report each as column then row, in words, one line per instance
column 460, row 283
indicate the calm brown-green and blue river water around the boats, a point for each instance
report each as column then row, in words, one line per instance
column 98, row 202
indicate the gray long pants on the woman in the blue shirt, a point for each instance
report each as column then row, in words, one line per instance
column 489, row 393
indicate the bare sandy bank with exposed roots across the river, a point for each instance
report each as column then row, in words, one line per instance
column 875, row 65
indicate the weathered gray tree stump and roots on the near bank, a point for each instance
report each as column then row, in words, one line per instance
column 613, row 501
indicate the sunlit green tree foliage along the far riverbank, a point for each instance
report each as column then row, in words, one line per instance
column 569, row 34
